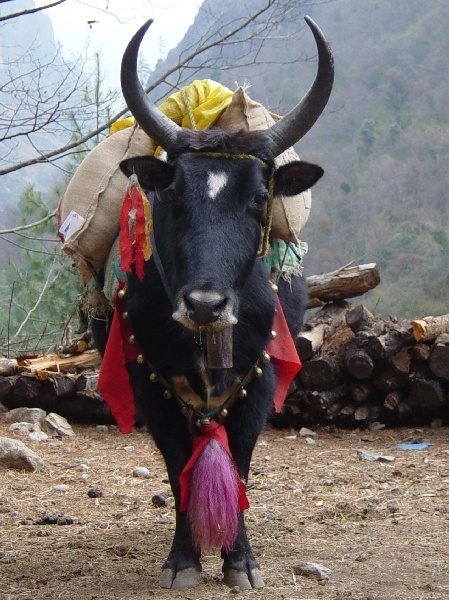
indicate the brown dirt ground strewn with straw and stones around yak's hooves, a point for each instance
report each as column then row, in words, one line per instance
column 381, row 527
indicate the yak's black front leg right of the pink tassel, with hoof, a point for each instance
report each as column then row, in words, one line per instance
column 244, row 424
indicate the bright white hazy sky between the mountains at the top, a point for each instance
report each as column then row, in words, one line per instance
column 115, row 27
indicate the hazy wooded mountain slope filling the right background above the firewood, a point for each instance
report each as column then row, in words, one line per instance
column 383, row 139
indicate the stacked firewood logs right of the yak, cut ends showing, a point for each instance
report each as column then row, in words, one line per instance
column 359, row 370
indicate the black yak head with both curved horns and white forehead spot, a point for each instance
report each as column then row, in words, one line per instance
column 211, row 193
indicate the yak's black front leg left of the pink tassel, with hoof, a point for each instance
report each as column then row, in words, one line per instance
column 169, row 430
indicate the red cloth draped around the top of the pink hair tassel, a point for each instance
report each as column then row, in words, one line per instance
column 218, row 433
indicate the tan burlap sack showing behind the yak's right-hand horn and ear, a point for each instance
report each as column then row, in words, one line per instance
column 290, row 213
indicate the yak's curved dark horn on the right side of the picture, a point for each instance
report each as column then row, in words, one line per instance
column 300, row 119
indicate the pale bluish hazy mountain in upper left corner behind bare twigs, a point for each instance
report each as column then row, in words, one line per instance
column 27, row 45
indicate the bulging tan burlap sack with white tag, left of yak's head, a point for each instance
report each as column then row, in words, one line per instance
column 95, row 194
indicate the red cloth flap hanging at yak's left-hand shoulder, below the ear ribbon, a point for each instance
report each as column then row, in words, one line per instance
column 113, row 383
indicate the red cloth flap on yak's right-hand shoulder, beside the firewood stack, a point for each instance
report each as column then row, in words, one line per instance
column 284, row 357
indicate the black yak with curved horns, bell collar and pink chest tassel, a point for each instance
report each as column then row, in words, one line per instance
column 202, row 314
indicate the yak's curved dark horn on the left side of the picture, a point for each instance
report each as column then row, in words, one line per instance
column 155, row 124
